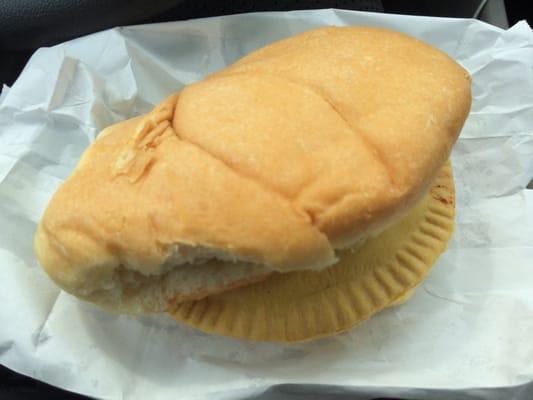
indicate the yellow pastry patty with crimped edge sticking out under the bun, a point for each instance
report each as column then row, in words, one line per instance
column 299, row 306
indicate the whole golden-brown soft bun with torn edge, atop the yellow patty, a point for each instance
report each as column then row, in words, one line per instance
column 307, row 145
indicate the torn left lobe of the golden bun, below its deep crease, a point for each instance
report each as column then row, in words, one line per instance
column 142, row 203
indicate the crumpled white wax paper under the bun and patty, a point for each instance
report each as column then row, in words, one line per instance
column 469, row 325
